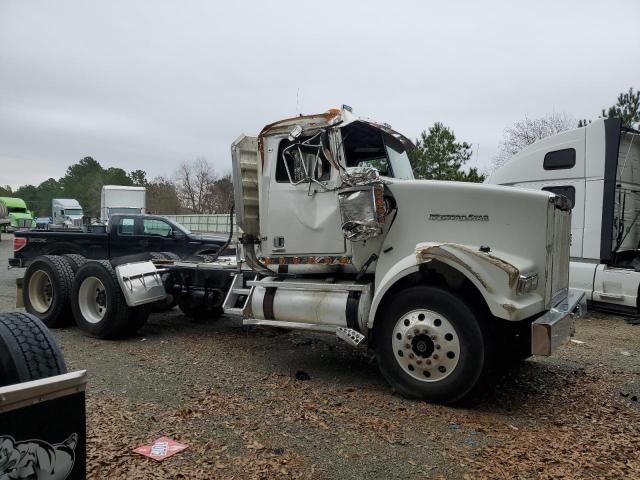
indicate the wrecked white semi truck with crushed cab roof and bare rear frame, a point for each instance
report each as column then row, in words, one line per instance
column 439, row 279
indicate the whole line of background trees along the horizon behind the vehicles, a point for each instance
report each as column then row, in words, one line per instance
column 197, row 188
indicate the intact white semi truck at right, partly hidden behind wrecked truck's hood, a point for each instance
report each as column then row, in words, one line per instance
column 598, row 169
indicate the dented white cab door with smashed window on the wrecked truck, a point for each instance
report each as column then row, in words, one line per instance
column 303, row 217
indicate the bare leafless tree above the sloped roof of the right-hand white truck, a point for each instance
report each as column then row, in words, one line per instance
column 527, row 131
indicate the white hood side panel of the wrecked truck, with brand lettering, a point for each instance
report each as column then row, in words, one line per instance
column 502, row 218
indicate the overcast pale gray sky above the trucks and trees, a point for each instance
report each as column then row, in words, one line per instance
column 148, row 84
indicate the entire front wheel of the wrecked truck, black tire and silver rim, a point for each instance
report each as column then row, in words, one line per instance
column 430, row 345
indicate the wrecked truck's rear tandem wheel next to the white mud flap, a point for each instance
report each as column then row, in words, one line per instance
column 99, row 307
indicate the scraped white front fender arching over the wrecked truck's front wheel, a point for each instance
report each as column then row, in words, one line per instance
column 493, row 274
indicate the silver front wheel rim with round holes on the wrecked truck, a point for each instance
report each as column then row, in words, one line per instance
column 426, row 345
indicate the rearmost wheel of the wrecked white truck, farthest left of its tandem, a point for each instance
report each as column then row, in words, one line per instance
column 47, row 288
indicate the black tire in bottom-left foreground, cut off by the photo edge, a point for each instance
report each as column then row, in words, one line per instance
column 27, row 350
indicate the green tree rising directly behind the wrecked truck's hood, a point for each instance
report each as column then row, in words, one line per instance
column 438, row 156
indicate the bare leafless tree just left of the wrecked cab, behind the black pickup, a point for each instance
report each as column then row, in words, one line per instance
column 193, row 183
